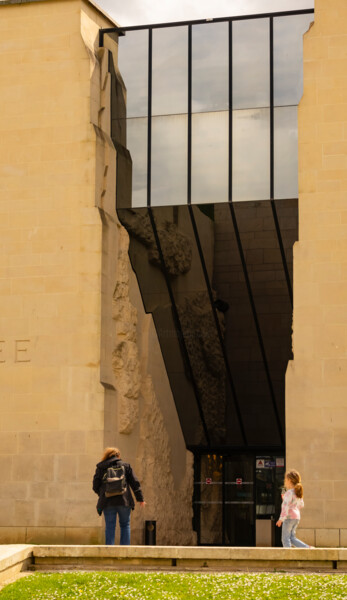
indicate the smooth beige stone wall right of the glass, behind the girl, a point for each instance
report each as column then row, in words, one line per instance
column 316, row 394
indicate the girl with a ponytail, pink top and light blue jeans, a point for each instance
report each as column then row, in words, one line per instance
column 290, row 513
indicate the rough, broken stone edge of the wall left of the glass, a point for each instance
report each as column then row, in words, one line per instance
column 140, row 414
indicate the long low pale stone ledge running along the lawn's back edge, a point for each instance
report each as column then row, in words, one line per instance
column 179, row 557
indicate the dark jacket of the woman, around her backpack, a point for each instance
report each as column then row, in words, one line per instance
column 125, row 499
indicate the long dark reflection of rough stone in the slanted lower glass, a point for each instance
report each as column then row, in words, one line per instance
column 195, row 312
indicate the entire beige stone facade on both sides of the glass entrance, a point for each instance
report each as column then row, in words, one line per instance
column 80, row 363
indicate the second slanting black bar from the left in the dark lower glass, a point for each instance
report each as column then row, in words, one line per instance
column 218, row 327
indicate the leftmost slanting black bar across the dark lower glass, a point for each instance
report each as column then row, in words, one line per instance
column 178, row 325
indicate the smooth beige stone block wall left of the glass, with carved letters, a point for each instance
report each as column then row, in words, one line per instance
column 52, row 401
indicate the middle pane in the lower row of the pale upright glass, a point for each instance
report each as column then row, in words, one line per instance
column 210, row 157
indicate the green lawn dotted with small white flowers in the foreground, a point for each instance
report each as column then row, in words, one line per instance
column 169, row 586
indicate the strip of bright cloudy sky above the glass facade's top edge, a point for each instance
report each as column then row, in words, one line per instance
column 140, row 12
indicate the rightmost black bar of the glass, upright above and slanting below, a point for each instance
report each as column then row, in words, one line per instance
column 272, row 169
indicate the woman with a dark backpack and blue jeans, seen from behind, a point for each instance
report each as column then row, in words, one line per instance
column 112, row 481
